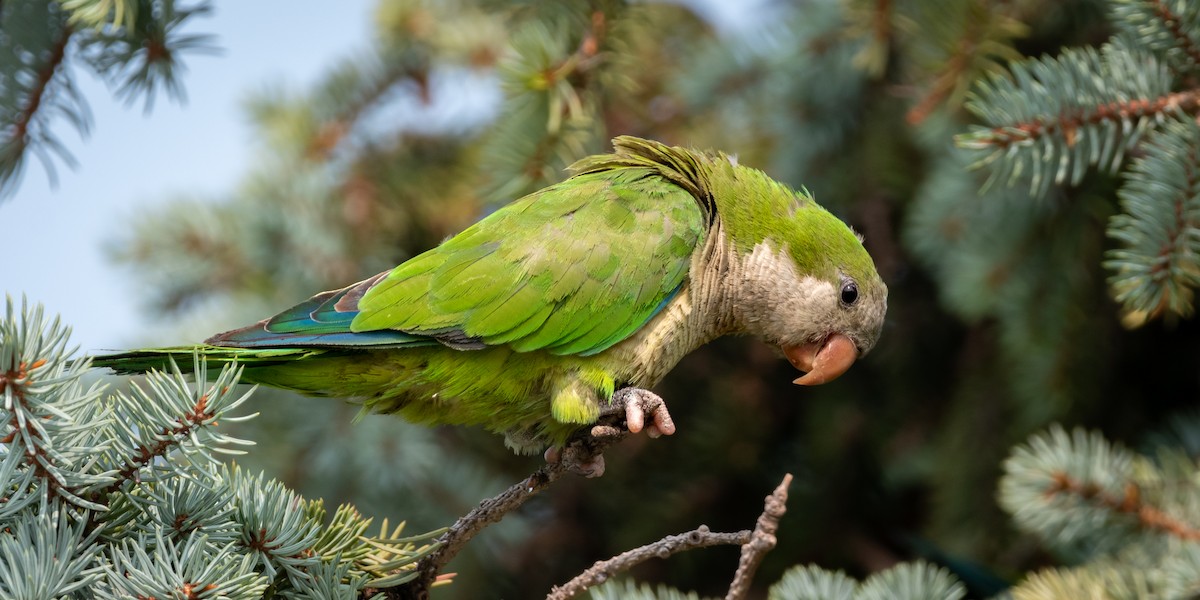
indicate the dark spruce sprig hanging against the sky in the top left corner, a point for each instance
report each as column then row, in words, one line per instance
column 134, row 45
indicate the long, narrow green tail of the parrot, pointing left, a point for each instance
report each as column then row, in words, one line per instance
column 140, row 362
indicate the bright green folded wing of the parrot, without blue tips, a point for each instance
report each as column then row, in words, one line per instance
column 572, row 269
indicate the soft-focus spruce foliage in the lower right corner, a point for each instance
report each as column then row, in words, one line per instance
column 1126, row 521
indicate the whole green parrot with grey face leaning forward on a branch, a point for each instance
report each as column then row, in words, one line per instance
column 574, row 301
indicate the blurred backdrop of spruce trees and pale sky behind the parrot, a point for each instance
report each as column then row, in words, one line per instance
column 325, row 145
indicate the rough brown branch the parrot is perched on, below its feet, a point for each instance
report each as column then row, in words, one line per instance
column 577, row 458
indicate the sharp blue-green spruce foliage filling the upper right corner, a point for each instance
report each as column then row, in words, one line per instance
column 1049, row 119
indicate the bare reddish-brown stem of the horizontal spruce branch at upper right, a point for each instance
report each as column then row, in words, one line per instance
column 1070, row 123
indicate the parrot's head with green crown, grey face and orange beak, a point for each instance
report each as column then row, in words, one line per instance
column 807, row 283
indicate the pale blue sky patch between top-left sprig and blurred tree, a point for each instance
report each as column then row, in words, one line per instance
column 53, row 239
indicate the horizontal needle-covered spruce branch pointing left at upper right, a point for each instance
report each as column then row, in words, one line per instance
column 1052, row 118
